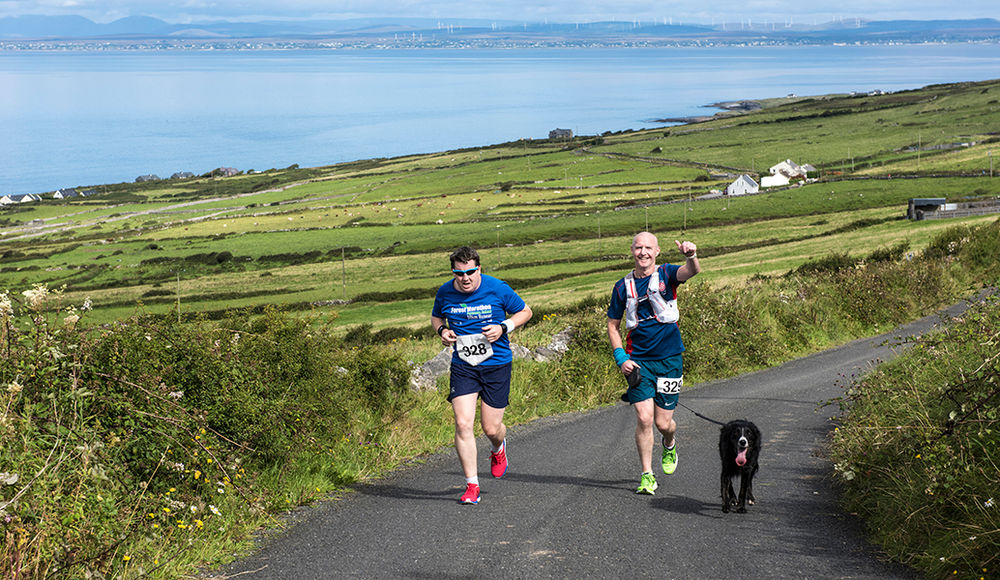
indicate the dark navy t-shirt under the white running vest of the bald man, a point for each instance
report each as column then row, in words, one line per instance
column 651, row 339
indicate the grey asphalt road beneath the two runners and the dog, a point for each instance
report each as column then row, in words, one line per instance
column 567, row 507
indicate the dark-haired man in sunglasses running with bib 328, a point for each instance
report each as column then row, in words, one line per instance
column 475, row 314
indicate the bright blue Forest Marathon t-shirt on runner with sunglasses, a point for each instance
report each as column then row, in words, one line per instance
column 469, row 313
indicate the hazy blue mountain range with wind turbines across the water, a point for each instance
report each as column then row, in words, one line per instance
column 438, row 31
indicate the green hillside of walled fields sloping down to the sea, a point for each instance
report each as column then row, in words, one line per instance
column 547, row 214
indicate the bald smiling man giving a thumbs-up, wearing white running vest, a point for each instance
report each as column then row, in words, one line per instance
column 651, row 356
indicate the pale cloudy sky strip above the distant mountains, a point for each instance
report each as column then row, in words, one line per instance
column 570, row 11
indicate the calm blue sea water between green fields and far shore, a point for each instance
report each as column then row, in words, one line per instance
column 70, row 119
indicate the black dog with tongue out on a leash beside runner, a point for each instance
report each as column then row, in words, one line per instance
column 739, row 446
